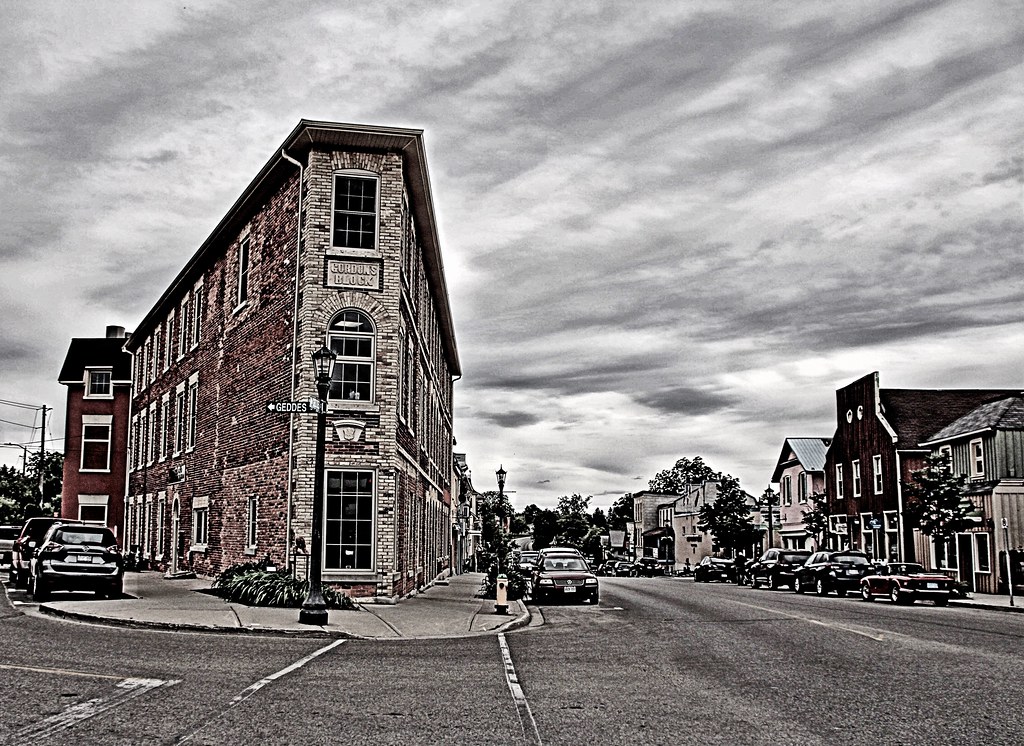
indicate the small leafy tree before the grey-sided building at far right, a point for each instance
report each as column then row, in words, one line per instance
column 935, row 502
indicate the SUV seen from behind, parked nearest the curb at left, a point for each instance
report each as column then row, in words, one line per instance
column 76, row 557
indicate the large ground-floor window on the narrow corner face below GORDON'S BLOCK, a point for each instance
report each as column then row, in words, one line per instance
column 349, row 521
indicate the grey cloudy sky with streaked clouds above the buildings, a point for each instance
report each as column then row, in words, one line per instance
column 670, row 229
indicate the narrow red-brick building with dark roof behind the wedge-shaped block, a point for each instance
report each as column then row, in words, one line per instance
column 98, row 374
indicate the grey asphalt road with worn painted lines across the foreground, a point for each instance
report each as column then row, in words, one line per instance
column 661, row 661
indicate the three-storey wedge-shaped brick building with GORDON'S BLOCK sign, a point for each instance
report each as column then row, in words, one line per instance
column 334, row 243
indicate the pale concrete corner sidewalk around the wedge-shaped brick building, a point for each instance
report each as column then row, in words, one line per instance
column 447, row 609
